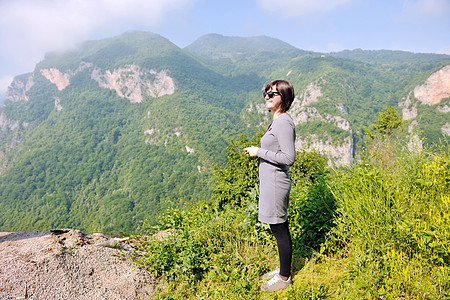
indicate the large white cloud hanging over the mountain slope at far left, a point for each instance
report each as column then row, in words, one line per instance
column 29, row 28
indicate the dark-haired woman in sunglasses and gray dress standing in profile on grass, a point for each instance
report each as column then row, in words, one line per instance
column 276, row 154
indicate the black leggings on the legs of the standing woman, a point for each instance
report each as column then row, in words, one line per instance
column 284, row 243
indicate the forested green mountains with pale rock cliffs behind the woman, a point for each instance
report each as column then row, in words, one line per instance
column 103, row 136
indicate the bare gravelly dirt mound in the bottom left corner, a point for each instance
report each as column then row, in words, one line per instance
column 67, row 264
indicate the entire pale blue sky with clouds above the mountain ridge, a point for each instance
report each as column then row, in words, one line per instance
column 30, row 28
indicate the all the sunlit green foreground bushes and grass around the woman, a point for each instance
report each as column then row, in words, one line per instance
column 377, row 230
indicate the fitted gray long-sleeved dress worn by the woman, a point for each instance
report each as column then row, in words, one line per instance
column 276, row 154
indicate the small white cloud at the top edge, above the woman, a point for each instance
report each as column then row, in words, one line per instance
column 300, row 8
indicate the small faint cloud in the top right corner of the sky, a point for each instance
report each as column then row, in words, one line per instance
column 425, row 8
